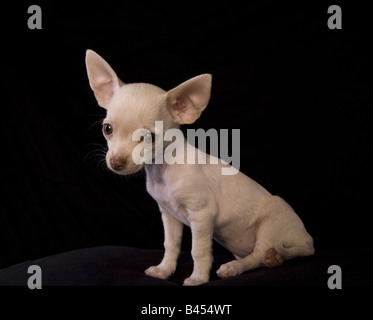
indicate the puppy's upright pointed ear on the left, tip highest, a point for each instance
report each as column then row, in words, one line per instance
column 102, row 78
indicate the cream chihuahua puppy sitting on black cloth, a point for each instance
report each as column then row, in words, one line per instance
column 258, row 228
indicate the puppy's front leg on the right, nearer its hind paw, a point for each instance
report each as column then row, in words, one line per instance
column 202, row 234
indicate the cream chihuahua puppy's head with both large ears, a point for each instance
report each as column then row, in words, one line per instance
column 136, row 107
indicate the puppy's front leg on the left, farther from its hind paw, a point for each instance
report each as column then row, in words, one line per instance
column 173, row 231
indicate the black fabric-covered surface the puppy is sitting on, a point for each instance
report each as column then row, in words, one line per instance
column 123, row 266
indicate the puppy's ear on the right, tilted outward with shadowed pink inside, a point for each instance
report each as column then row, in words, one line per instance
column 186, row 102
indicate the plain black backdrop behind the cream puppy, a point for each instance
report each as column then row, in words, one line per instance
column 300, row 93
